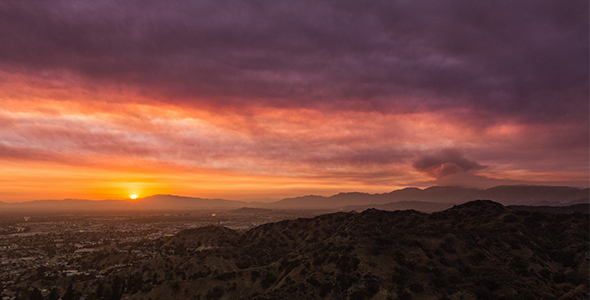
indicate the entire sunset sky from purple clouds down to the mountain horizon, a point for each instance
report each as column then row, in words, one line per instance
column 261, row 100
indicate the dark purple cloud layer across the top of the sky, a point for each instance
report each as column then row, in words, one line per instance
column 525, row 60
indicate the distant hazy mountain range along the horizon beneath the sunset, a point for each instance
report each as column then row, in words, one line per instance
column 426, row 200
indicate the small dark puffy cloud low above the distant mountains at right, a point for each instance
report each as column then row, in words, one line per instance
column 445, row 163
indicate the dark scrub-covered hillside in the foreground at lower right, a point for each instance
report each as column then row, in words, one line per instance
column 478, row 250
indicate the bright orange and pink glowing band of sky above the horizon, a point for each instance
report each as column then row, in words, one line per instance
column 93, row 149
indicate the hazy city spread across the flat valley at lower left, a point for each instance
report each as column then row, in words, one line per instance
column 46, row 252
